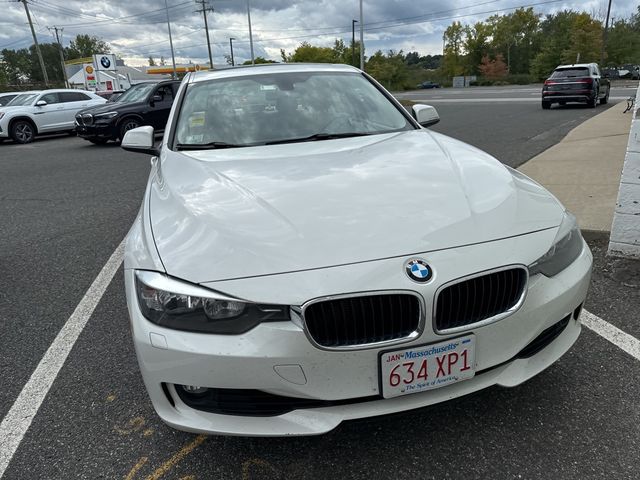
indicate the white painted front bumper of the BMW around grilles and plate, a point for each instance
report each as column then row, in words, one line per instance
column 255, row 360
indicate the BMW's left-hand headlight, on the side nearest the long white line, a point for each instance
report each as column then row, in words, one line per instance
column 179, row 305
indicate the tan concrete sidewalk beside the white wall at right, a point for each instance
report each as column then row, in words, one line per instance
column 583, row 170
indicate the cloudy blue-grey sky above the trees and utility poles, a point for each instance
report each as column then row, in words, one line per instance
column 138, row 29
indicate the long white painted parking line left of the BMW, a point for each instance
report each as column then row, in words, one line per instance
column 15, row 425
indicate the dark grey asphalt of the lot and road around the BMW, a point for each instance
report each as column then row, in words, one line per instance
column 66, row 206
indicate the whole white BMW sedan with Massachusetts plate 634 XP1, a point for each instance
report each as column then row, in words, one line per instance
column 307, row 253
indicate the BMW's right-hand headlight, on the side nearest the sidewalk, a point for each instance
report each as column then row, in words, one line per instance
column 565, row 249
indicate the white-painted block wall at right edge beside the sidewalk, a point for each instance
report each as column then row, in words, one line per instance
column 625, row 230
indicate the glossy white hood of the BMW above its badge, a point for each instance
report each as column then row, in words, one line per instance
column 235, row 213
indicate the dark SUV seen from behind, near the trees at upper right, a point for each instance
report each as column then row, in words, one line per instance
column 580, row 82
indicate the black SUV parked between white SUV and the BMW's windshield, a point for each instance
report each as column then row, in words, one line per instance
column 142, row 104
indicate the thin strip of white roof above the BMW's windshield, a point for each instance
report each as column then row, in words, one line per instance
column 250, row 70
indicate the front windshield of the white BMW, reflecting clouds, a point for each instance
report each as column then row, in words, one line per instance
column 283, row 108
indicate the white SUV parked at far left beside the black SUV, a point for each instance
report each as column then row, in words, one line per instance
column 46, row 111
